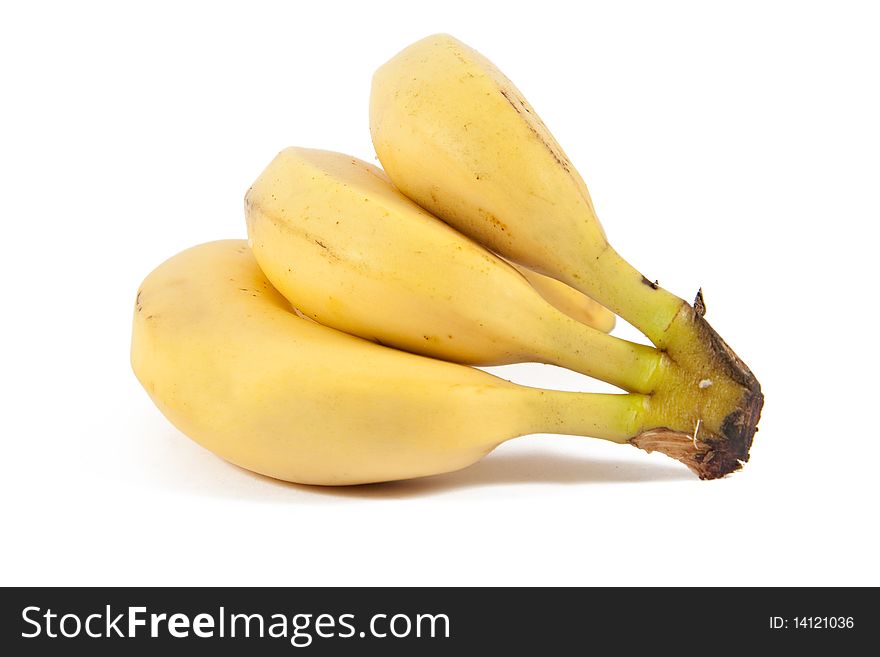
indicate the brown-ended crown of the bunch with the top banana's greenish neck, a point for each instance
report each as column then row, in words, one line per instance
column 701, row 383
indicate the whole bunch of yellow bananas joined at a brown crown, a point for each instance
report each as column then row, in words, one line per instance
column 335, row 347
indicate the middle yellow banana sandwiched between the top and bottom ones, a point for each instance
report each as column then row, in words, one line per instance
column 349, row 250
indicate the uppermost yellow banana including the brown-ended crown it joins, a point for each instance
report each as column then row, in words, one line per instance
column 456, row 136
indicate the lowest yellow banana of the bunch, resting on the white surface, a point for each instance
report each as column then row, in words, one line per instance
column 223, row 356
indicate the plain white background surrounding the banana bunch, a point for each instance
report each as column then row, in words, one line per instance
column 732, row 146
